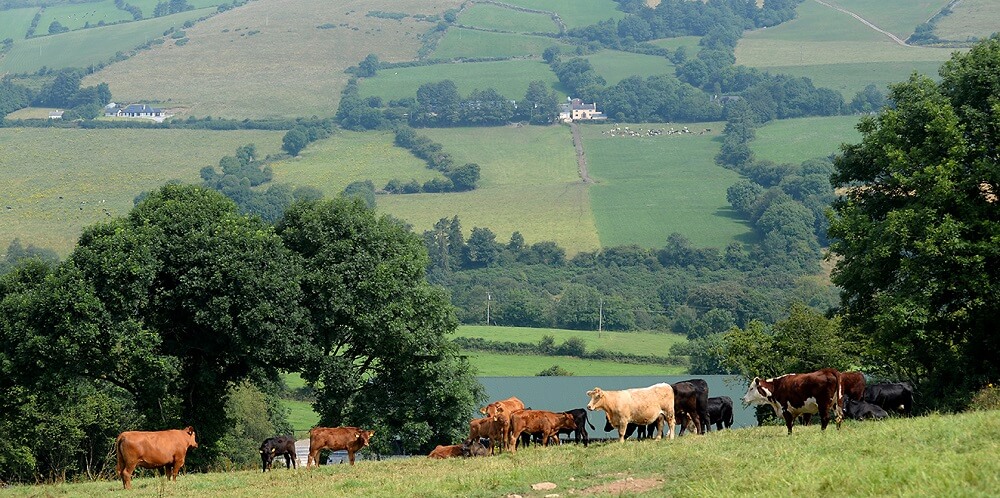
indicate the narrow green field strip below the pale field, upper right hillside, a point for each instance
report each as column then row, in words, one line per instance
column 851, row 78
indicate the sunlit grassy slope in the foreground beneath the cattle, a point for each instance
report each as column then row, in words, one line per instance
column 926, row 456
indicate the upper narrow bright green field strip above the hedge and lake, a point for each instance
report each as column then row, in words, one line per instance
column 639, row 343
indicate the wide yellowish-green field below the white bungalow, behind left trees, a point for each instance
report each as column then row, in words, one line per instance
column 58, row 181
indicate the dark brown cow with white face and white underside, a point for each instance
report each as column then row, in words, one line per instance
column 792, row 395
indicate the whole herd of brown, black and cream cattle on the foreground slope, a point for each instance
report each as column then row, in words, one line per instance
column 649, row 411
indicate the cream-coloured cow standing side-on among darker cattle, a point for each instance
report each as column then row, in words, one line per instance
column 646, row 405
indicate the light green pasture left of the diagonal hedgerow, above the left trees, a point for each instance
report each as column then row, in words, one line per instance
column 349, row 156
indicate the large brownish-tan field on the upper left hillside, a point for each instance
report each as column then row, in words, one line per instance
column 269, row 58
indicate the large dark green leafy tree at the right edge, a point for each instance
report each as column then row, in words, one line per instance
column 917, row 227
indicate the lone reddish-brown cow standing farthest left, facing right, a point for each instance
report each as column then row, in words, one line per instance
column 152, row 450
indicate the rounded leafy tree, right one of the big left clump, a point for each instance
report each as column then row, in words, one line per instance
column 378, row 350
